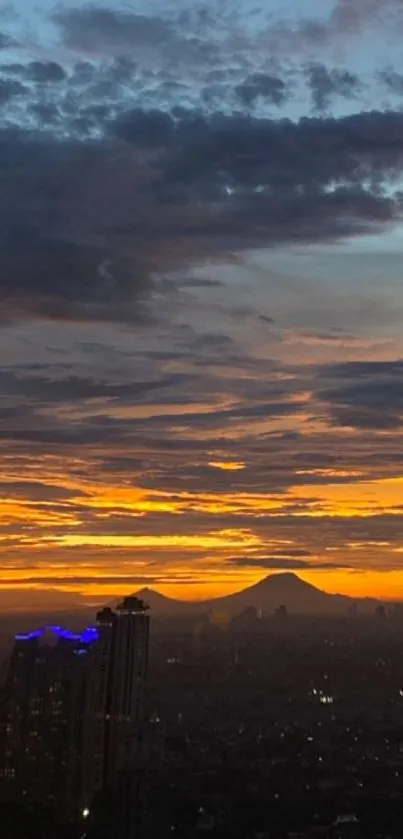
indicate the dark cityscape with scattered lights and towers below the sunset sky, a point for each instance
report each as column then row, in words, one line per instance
column 277, row 724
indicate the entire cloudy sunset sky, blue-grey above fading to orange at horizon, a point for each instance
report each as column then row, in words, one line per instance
column 201, row 352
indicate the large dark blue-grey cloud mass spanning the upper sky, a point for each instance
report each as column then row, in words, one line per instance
column 86, row 226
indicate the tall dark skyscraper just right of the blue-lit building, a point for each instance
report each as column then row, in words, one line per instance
column 113, row 755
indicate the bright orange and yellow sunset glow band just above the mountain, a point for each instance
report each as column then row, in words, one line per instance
column 74, row 549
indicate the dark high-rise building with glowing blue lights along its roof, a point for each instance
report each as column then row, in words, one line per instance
column 41, row 718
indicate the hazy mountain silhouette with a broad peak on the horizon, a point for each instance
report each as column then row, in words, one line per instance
column 301, row 598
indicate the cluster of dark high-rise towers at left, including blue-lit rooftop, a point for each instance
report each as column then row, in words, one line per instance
column 72, row 732
